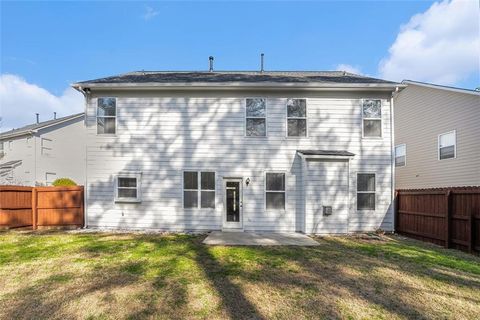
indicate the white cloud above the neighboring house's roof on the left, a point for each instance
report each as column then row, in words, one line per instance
column 20, row 100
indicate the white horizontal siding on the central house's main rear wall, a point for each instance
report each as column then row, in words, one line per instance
column 163, row 134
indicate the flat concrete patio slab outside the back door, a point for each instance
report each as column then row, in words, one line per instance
column 258, row 239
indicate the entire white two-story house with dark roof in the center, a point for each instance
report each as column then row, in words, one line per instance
column 245, row 151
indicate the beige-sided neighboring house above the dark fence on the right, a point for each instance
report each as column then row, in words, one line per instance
column 437, row 136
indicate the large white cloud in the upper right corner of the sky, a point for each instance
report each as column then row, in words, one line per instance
column 441, row 45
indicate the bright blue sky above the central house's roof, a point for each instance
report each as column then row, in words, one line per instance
column 52, row 44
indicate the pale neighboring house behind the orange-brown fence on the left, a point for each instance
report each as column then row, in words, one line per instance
column 39, row 153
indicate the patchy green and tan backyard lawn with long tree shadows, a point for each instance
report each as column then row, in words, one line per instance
column 66, row 275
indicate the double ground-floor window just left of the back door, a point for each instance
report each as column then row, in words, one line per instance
column 198, row 185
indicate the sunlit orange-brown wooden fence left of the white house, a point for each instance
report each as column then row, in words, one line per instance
column 41, row 207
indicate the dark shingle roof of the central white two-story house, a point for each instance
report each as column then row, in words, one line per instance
column 247, row 77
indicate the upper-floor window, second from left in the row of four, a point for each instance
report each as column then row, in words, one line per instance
column 256, row 117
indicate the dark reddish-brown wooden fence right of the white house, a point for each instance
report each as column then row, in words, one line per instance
column 448, row 216
